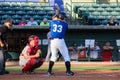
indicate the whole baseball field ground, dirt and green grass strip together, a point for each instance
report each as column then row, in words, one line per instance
column 83, row 71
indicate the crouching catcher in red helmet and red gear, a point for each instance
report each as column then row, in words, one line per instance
column 30, row 56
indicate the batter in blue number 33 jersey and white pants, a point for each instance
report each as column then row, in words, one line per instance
column 58, row 29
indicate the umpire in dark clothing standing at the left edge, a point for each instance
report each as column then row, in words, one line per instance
column 3, row 30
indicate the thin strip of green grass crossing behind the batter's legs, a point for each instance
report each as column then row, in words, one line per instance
column 73, row 68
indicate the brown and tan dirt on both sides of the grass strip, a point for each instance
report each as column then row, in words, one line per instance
column 60, row 74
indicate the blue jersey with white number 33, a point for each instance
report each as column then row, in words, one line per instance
column 58, row 28
